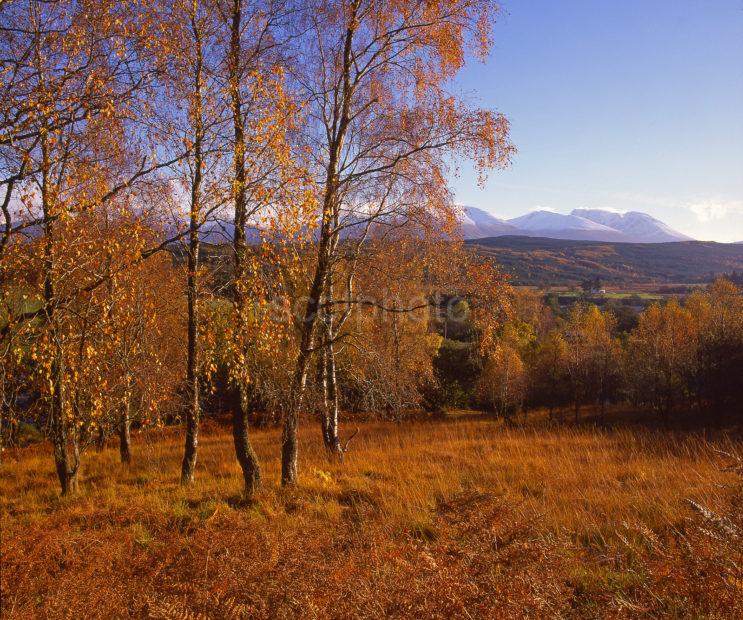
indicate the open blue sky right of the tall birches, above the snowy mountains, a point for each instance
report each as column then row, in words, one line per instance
column 633, row 106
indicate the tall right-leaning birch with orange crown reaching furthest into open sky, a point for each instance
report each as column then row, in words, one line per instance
column 382, row 128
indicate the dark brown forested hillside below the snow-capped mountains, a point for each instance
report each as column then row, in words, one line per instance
column 541, row 261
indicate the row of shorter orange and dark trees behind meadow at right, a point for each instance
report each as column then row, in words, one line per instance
column 676, row 357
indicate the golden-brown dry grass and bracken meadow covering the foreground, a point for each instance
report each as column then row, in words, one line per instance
column 460, row 518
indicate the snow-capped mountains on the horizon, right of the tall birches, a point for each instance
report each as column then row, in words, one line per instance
column 579, row 224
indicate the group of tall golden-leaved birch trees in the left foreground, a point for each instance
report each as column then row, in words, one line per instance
column 315, row 137
